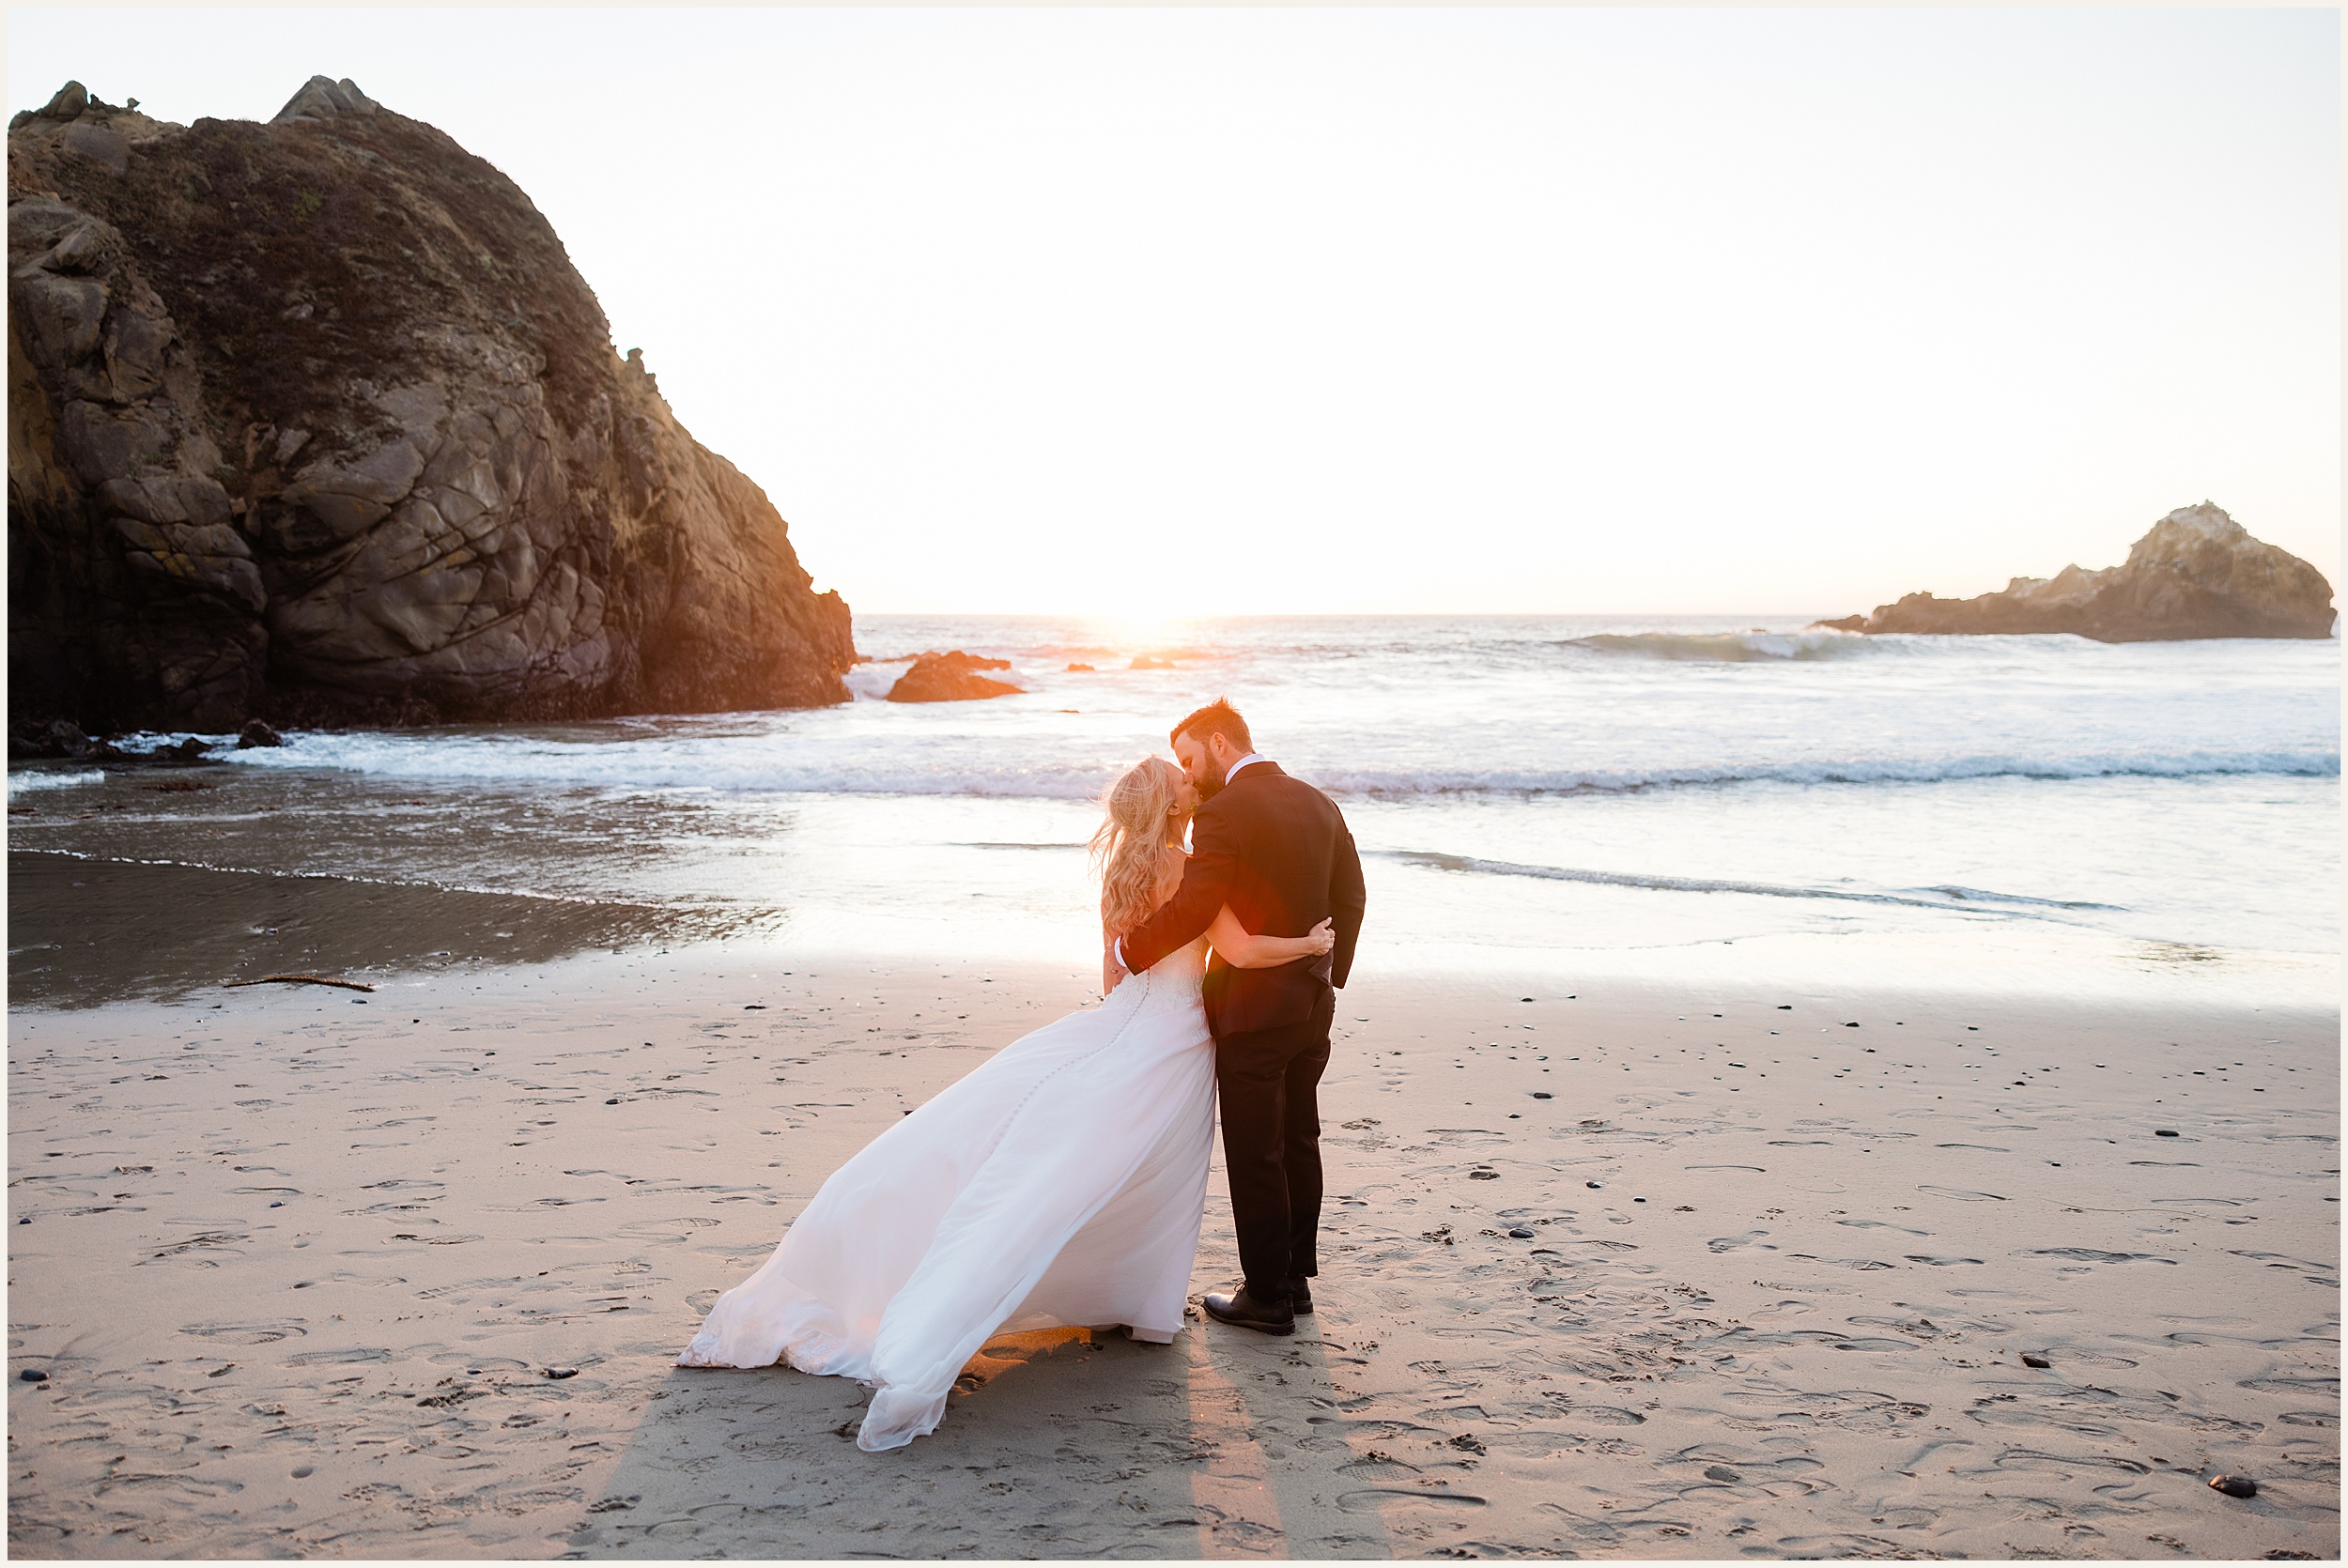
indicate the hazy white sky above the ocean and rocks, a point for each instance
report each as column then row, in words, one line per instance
column 1229, row 311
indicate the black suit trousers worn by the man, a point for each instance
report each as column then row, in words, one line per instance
column 1271, row 1142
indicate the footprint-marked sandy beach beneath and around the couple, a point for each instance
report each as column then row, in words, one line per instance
column 1614, row 1271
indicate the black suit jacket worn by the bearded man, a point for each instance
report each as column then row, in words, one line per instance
column 1281, row 856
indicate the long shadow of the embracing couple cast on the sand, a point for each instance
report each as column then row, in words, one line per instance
column 1055, row 1445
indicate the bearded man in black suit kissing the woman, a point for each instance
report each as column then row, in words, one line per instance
column 1278, row 853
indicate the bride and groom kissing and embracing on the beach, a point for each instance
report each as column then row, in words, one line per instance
column 1062, row 1182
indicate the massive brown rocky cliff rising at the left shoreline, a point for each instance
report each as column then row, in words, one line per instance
column 316, row 421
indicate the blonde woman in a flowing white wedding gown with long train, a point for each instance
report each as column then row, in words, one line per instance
column 1060, row 1184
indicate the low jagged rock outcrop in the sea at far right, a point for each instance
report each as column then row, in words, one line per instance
column 2197, row 574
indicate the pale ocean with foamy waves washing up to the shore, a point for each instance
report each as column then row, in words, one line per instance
column 1668, row 799
